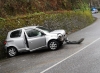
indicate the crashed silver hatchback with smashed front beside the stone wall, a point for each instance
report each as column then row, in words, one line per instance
column 32, row 38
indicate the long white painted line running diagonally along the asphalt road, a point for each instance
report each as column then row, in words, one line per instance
column 70, row 56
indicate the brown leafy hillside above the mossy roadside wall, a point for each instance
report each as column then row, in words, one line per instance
column 16, row 7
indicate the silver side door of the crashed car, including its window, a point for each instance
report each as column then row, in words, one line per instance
column 36, row 39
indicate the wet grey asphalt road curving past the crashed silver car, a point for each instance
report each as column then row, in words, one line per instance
column 71, row 58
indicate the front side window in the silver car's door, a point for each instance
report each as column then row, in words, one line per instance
column 33, row 33
